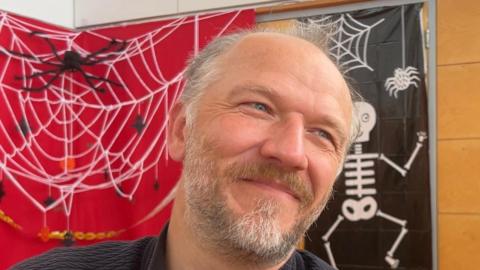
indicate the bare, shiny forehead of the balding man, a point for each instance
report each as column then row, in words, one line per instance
column 284, row 54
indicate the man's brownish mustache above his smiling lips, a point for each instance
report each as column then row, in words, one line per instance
column 291, row 179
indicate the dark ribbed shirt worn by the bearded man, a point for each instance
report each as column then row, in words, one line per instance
column 144, row 254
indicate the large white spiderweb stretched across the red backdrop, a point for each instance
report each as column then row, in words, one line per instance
column 96, row 137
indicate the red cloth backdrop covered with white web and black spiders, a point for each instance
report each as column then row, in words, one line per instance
column 82, row 127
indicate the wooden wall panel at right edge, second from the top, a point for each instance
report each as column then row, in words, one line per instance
column 459, row 101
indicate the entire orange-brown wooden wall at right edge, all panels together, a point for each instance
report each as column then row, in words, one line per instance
column 458, row 108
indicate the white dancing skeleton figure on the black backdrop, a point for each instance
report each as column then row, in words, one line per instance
column 360, row 184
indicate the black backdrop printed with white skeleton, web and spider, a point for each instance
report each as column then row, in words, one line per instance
column 379, row 217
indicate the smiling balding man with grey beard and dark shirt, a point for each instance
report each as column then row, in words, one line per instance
column 262, row 129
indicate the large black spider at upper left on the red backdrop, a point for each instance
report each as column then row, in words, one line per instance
column 71, row 61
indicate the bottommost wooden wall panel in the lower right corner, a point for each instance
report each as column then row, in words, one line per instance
column 459, row 242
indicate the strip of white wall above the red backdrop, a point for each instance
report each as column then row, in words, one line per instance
column 83, row 13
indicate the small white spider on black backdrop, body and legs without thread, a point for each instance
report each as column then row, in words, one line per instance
column 401, row 80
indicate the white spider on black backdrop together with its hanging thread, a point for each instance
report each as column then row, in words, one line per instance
column 403, row 77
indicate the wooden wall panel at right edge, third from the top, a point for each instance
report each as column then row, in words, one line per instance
column 459, row 175
